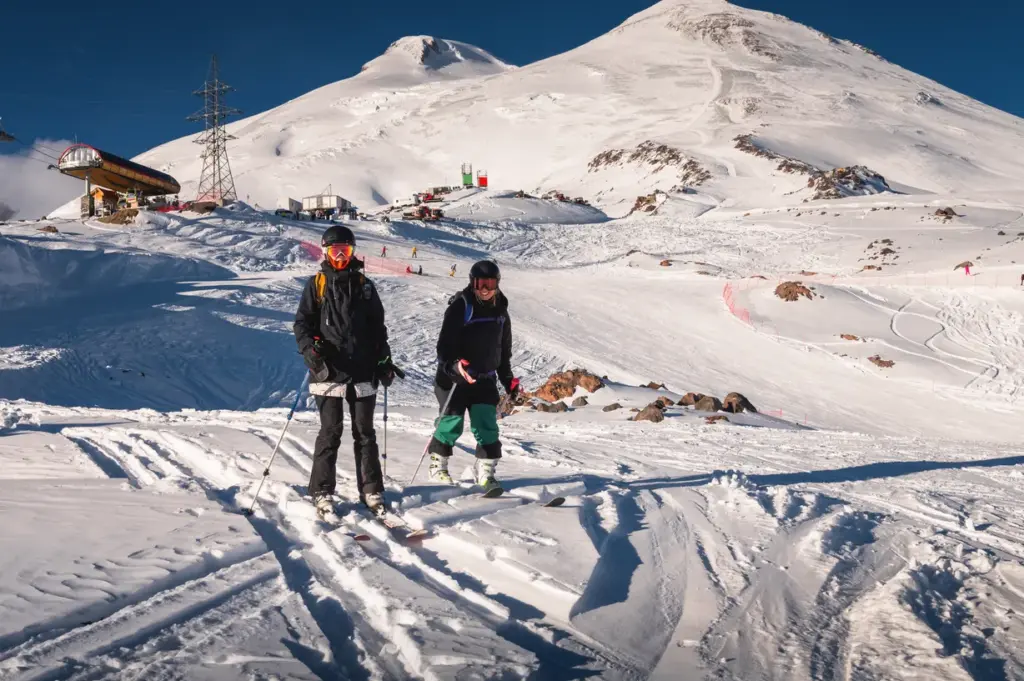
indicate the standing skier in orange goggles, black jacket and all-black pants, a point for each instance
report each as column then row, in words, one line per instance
column 340, row 331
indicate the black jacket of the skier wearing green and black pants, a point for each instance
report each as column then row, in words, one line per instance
column 479, row 332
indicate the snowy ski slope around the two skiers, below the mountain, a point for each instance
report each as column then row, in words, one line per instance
column 865, row 525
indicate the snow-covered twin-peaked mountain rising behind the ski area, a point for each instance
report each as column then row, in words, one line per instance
column 658, row 104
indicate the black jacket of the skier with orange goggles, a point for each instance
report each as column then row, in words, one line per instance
column 350, row 323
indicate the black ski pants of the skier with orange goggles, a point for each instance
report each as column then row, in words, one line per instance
column 369, row 480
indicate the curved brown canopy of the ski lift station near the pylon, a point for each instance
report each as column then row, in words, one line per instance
column 113, row 173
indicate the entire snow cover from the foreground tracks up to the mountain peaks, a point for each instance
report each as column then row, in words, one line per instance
column 867, row 523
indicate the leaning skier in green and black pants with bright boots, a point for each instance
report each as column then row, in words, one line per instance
column 475, row 352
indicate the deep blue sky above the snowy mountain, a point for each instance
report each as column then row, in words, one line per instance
column 131, row 90
